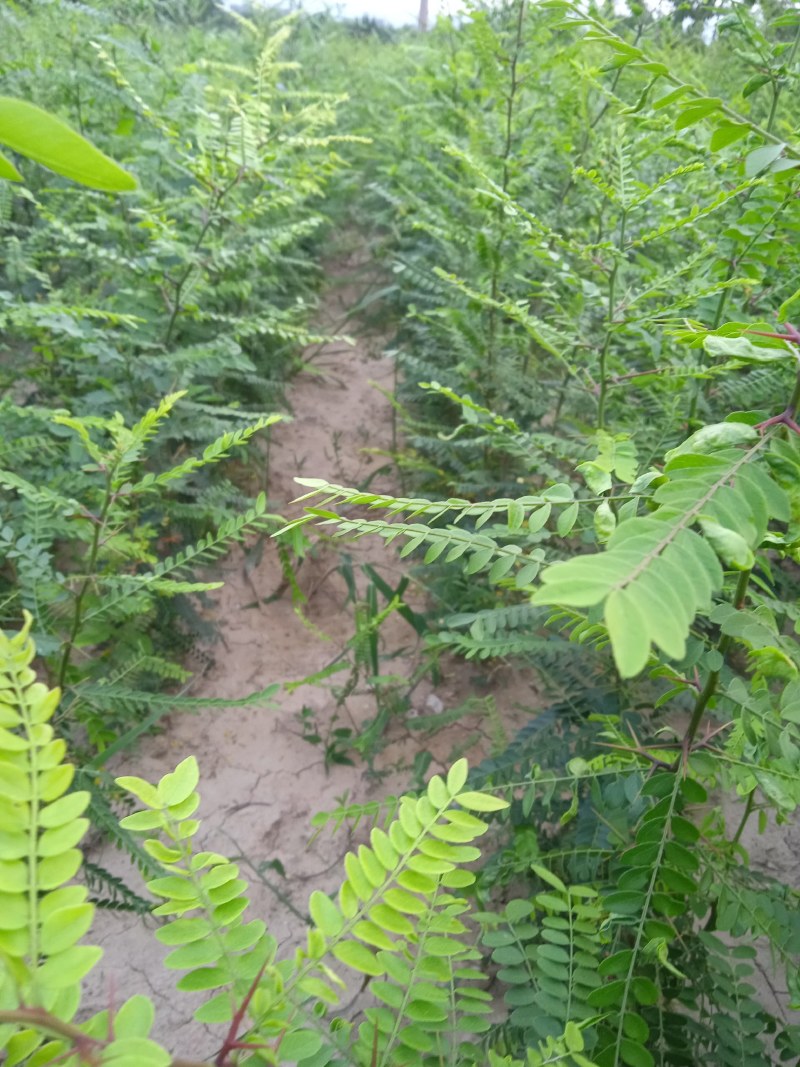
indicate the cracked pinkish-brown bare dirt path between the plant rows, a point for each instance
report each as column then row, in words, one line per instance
column 261, row 782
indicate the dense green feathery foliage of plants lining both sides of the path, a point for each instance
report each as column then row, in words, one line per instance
column 590, row 231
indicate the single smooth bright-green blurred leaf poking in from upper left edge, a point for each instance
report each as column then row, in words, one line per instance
column 41, row 137
